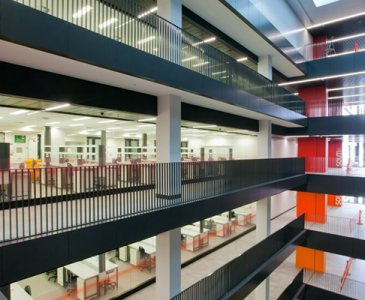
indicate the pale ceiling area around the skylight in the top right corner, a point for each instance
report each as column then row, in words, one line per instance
column 311, row 15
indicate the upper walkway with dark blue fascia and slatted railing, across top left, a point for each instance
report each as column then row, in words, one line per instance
column 130, row 40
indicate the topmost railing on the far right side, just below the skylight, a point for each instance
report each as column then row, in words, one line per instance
column 335, row 47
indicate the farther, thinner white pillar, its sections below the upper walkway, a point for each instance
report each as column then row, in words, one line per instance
column 263, row 212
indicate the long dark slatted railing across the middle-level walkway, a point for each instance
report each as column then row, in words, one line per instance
column 39, row 201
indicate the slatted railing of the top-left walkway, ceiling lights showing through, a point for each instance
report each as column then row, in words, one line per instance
column 131, row 24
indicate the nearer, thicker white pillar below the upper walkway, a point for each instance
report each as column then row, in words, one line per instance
column 168, row 150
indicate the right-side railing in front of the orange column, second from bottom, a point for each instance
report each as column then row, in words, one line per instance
column 336, row 225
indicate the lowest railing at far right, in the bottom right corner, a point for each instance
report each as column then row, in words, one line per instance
column 351, row 288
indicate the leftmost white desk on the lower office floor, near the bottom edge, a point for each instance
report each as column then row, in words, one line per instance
column 87, row 280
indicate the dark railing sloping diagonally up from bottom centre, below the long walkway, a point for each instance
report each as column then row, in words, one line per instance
column 222, row 281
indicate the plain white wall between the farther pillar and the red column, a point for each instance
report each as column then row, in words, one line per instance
column 282, row 147
